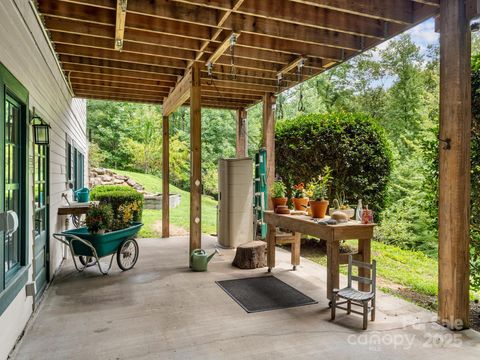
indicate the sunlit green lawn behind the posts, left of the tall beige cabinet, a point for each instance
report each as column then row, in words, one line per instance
column 179, row 216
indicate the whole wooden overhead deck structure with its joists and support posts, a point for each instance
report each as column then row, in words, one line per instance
column 236, row 53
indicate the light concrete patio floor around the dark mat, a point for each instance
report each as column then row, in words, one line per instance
column 161, row 310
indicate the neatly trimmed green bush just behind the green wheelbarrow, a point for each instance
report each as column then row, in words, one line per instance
column 126, row 203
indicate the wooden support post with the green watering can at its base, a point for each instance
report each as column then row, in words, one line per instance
column 195, row 160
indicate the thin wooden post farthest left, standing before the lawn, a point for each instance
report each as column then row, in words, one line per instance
column 165, row 179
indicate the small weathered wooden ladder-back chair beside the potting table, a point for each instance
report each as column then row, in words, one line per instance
column 354, row 296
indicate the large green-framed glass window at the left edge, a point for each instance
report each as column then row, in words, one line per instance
column 13, row 185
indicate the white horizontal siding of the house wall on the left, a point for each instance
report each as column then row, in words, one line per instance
column 26, row 54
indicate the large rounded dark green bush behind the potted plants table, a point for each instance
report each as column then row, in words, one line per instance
column 353, row 145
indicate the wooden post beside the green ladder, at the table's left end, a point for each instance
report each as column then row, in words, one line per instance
column 269, row 140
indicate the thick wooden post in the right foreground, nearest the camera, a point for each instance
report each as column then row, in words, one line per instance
column 454, row 181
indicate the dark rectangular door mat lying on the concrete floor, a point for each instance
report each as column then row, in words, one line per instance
column 264, row 293
